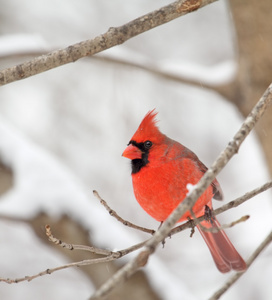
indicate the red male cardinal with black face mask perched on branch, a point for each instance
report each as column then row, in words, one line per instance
column 161, row 171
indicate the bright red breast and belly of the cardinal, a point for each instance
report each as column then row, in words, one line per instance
column 160, row 187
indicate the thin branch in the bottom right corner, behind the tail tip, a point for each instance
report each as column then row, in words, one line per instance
column 236, row 276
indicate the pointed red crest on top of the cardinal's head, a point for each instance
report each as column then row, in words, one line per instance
column 148, row 129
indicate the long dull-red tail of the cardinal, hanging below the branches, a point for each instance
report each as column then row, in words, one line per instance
column 223, row 252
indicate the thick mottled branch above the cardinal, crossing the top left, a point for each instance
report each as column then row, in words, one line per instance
column 114, row 36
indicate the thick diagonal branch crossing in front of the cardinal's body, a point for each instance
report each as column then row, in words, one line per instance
column 130, row 268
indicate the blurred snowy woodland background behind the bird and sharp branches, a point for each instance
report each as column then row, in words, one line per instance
column 62, row 134
